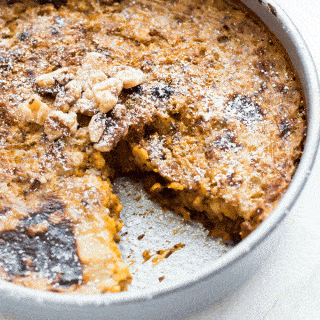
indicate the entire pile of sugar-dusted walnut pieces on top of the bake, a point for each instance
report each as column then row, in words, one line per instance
column 93, row 90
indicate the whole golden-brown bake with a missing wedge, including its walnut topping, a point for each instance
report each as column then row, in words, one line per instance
column 196, row 98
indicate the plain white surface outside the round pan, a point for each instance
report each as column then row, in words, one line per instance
column 288, row 285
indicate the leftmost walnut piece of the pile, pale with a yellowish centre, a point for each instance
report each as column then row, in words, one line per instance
column 34, row 110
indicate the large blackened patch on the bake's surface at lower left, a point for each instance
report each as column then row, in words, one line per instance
column 51, row 253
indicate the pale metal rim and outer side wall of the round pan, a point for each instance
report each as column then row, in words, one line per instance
column 209, row 283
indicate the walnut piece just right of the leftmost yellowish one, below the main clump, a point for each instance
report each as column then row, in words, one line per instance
column 59, row 124
